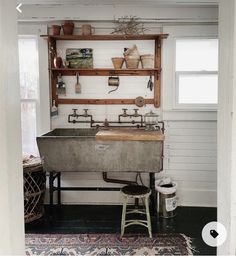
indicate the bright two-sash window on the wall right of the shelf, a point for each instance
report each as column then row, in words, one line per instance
column 196, row 73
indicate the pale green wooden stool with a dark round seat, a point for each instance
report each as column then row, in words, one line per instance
column 136, row 192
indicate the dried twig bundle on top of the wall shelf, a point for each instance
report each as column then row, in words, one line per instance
column 128, row 25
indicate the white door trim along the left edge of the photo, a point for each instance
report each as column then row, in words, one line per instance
column 11, row 174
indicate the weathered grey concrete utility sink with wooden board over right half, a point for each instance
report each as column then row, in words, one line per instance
column 78, row 150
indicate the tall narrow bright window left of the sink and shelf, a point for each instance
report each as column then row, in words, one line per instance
column 28, row 64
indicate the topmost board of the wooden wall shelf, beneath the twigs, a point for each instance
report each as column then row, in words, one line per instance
column 107, row 37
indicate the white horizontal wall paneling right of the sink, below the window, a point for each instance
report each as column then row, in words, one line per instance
column 190, row 159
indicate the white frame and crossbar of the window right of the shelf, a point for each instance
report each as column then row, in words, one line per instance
column 190, row 107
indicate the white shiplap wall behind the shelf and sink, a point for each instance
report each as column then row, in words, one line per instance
column 190, row 146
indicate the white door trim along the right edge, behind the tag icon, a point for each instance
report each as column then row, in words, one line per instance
column 226, row 198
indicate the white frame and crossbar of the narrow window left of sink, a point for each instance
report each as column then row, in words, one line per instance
column 35, row 100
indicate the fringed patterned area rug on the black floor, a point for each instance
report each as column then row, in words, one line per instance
column 107, row 244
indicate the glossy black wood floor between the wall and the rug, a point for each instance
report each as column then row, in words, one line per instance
column 106, row 219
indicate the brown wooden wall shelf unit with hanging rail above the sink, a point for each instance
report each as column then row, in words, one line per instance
column 156, row 71
